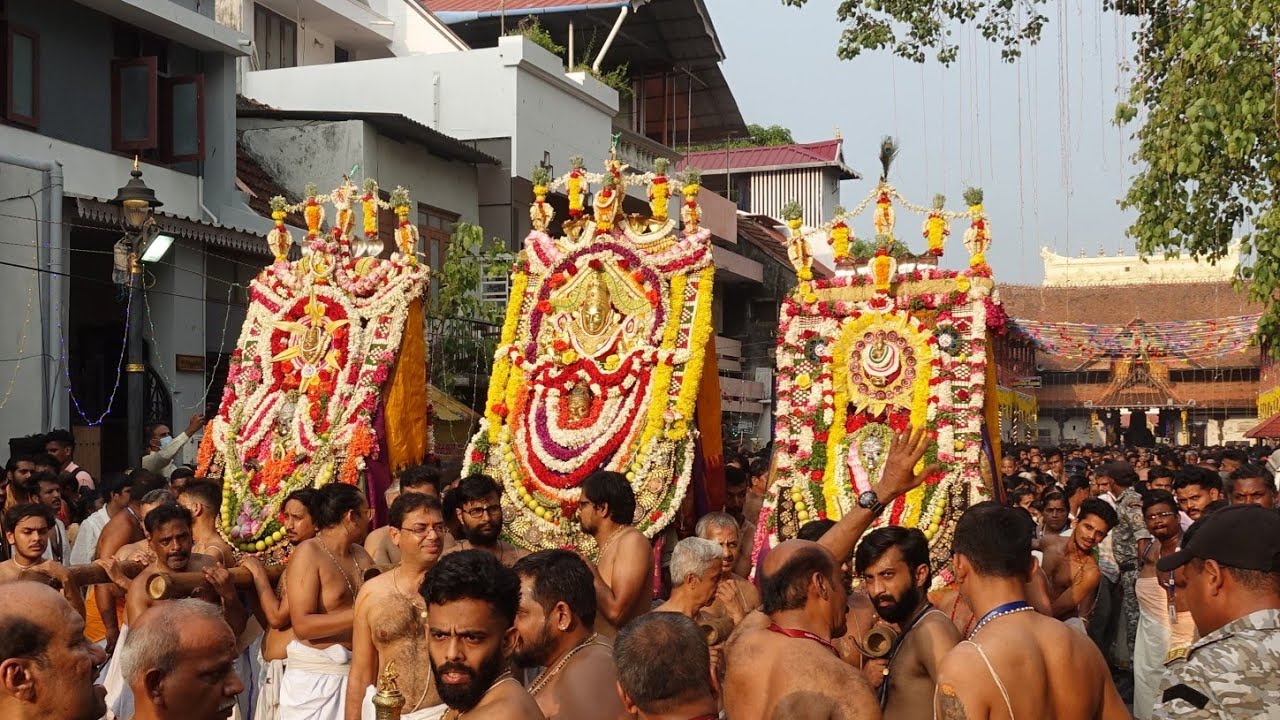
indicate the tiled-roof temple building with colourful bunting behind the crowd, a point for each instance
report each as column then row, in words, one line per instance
column 1137, row 352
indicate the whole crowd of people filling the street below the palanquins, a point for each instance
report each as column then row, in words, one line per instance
column 1108, row 584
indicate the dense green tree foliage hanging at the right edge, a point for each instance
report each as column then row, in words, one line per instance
column 1210, row 143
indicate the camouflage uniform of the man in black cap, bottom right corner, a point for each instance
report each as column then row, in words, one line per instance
column 1232, row 673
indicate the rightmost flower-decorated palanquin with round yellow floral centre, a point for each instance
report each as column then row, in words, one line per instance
column 888, row 344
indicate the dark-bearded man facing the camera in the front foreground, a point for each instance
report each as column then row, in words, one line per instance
column 472, row 601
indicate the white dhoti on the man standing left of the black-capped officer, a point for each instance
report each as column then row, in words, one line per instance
column 1156, row 637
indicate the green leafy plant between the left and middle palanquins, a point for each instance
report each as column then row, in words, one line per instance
column 463, row 330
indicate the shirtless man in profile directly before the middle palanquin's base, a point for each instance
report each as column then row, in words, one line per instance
column 624, row 578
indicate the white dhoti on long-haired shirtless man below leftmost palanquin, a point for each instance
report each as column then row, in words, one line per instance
column 314, row 685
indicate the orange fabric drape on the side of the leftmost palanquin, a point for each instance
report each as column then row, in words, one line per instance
column 406, row 397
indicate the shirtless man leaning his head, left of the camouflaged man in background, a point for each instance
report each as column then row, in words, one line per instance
column 1069, row 564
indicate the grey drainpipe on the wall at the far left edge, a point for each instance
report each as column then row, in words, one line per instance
column 51, row 256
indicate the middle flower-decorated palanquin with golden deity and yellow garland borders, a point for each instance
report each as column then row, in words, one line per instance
column 602, row 357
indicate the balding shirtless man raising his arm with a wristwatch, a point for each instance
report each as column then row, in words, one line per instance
column 785, row 666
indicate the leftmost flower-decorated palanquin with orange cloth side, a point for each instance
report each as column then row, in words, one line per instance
column 328, row 380
